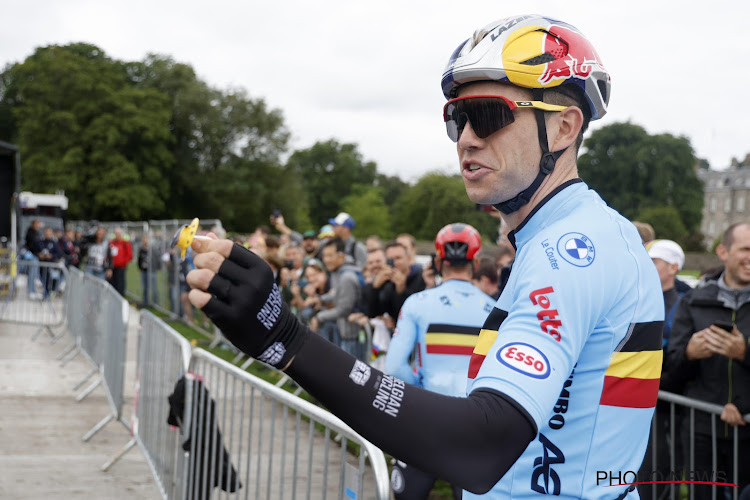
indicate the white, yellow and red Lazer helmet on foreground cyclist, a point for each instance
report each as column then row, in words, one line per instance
column 531, row 51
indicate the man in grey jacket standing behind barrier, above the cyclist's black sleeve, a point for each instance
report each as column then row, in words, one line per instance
column 345, row 290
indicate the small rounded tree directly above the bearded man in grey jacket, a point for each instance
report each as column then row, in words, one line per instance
column 367, row 205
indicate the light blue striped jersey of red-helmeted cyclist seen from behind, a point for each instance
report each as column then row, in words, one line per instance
column 443, row 323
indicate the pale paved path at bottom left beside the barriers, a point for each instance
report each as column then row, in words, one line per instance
column 42, row 455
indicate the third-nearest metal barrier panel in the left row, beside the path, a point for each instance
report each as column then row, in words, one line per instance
column 98, row 323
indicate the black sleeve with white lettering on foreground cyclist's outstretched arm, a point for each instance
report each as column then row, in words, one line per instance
column 471, row 442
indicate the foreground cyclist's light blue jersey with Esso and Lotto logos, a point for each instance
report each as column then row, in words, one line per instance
column 575, row 339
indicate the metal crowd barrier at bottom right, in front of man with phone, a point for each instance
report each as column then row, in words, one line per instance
column 681, row 465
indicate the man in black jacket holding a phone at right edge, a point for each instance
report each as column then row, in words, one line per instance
column 712, row 359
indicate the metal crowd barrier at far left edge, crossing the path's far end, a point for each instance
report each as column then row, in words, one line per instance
column 32, row 292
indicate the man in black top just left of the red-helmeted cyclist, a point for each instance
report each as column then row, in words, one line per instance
column 394, row 283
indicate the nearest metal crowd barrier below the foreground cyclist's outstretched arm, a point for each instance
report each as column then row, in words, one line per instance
column 267, row 443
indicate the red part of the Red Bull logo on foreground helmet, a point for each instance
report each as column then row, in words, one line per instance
column 574, row 55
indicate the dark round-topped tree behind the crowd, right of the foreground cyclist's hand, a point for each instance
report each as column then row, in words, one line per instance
column 329, row 171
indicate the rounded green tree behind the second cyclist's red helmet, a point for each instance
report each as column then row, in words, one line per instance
column 434, row 201
